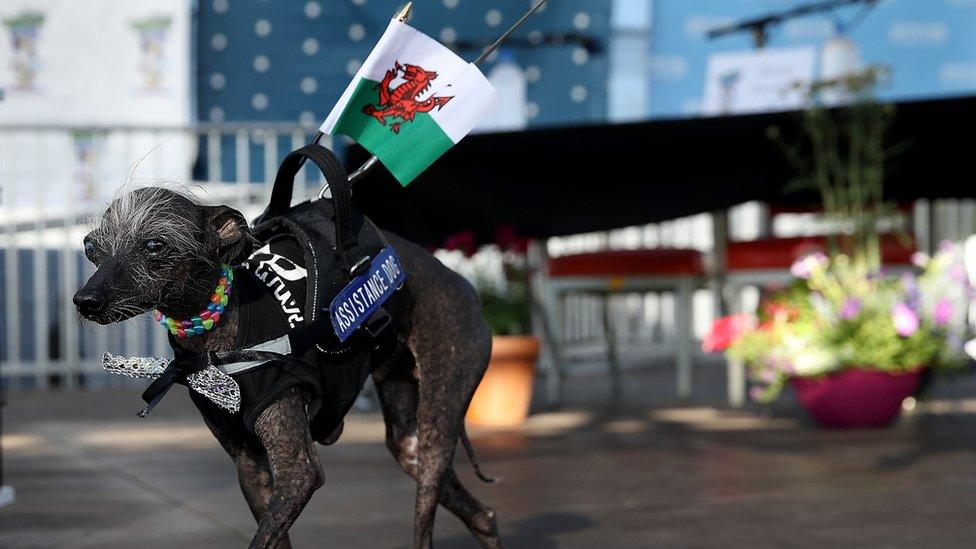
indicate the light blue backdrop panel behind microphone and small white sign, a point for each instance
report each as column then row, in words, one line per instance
column 930, row 45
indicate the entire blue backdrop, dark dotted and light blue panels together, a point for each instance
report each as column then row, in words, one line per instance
column 253, row 56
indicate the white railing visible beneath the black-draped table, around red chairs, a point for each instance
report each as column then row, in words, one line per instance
column 642, row 322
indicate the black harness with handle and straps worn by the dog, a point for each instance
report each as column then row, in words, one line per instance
column 338, row 244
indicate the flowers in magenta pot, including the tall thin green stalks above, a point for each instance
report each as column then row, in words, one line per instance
column 852, row 341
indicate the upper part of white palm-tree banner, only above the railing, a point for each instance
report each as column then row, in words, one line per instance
column 97, row 62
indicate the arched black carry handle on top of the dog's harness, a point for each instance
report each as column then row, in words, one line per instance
column 335, row 176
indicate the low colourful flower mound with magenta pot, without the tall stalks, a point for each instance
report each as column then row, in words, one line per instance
column 853, row 345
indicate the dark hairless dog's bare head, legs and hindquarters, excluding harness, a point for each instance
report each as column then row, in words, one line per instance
column 155, row 248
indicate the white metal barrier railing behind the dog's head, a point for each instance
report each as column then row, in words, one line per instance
column 53, row 179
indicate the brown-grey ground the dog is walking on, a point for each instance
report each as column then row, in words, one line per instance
column 89, row 474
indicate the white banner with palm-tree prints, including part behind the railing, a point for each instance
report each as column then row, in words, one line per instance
column 76, row 69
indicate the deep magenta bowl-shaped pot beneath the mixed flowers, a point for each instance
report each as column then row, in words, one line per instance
column 855, row 398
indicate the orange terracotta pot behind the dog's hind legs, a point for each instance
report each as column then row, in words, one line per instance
column 505, row 393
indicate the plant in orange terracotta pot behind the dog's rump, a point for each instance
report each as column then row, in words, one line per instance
column 499, row 273
